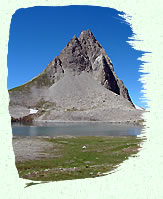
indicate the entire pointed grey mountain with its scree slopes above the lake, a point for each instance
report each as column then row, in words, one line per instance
column 81, row 79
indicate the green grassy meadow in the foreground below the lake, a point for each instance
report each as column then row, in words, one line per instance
column 79, row 157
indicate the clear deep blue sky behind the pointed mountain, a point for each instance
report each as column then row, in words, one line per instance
column 38, row 34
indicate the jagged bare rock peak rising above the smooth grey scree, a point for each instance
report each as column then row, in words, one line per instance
column 86, row 54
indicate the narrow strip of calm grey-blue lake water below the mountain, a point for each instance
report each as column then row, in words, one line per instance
column 77, row 129
